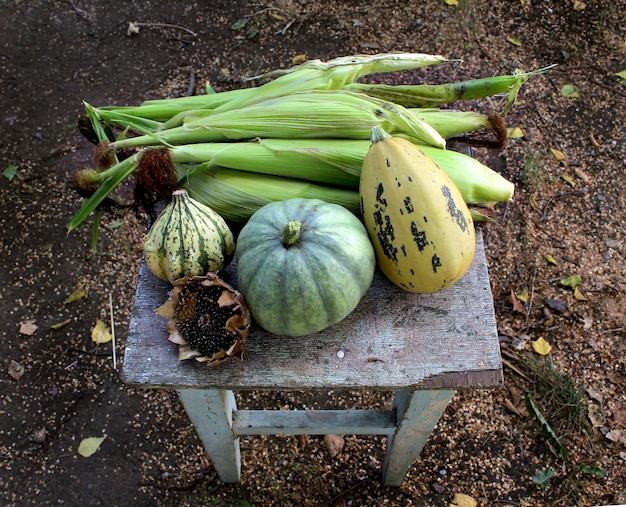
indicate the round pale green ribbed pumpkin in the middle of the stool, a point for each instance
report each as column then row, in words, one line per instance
column 303, row 265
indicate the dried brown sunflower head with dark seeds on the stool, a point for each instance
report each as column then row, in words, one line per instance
column 208, row 319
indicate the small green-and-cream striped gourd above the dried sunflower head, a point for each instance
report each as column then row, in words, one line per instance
column 187, row 239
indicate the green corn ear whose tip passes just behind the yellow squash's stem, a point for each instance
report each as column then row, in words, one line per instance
column 306, row 115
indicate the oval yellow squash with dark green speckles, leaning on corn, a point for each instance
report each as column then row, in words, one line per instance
column 417, row 220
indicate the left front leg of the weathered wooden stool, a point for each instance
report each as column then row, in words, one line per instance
column 210, row 411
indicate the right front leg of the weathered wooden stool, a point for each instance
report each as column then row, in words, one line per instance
column 417, row 413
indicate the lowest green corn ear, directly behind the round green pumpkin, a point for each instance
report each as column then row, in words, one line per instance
column 236, row 195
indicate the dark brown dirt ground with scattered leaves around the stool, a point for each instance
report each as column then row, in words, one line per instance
column 567, row 219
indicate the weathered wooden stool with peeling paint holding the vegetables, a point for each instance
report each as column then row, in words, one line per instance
column 421, row 347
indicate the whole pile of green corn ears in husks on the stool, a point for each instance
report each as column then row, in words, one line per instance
column 304, row 133
